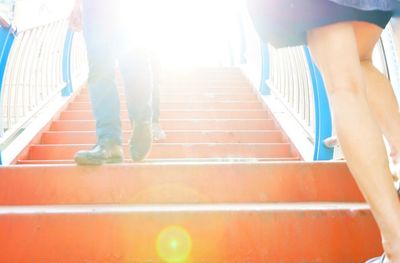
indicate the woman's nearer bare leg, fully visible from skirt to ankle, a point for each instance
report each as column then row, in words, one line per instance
column 334, row 48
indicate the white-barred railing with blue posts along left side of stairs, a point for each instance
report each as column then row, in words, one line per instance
column 39, row 61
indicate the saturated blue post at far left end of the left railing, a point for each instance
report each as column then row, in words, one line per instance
column 6, row 41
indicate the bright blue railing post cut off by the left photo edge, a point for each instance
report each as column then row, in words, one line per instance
column 6, row 41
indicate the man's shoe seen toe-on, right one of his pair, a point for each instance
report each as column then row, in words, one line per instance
column 140, row 142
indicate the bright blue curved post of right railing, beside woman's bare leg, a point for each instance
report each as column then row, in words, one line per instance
column 323, row 120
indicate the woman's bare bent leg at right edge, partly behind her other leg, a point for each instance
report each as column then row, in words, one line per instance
column 379, row 91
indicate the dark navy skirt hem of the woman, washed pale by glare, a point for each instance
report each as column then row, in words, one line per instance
column 284, row 23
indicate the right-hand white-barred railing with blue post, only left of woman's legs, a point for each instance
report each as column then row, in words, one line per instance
column 291, row 77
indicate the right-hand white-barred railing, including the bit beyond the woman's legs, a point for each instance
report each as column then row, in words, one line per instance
column 291, row 77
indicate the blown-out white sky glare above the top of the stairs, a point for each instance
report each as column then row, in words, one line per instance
column 184, row 32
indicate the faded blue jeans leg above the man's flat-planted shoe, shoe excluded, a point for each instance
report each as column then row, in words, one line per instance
column 98, row 34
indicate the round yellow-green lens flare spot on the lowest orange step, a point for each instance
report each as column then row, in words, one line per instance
column 174, row 244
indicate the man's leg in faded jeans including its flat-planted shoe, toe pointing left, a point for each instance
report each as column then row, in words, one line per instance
column 98, row 32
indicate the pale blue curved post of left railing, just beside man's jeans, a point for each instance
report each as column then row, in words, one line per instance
column 66, row 66
